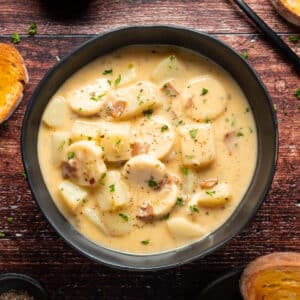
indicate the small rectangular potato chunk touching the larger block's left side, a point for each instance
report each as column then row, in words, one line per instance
column 85, row 130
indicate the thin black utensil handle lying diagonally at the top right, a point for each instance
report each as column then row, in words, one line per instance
column 270, row 34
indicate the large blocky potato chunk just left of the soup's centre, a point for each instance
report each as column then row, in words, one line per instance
column 116, row 140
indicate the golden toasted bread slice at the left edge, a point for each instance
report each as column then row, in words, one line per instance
column 13, row 77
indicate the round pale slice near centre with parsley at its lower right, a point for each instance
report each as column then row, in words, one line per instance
column 145, row 170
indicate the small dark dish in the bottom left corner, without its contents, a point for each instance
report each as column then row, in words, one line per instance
column 20, row 282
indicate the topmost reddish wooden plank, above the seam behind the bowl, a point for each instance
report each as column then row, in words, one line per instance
column 84, row 16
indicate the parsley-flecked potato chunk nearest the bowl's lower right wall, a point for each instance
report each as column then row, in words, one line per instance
column 216, row 196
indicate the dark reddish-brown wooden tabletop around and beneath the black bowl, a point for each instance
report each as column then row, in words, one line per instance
column 31, row 246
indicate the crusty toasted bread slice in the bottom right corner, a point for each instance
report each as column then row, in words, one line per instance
column 272, row 277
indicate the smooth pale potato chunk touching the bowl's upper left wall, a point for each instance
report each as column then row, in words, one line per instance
column 56, row 112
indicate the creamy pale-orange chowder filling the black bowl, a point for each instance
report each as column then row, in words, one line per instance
column 232, row 130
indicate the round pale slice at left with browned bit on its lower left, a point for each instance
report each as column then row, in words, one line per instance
column 84, row 164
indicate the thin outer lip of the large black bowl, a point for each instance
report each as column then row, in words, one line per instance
column 211, row 249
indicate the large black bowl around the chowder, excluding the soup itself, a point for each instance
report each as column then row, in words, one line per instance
column 205, row 45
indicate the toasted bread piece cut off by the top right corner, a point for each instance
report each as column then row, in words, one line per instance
column 288, row 9
